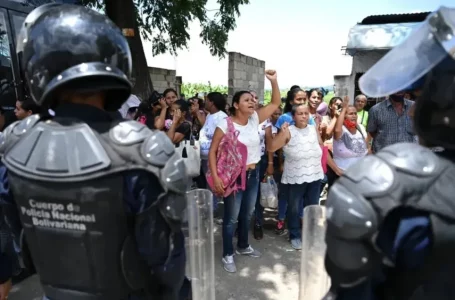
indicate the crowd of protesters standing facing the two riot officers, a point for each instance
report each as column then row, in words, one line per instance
column 300, row 140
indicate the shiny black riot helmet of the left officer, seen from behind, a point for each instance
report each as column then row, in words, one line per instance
column 70, row 47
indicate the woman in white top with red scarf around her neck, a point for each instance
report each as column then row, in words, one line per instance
column 349, row 141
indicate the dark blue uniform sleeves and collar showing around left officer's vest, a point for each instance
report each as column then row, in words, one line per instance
column 140, row 194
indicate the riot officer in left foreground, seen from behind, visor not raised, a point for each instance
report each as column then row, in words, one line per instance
column 99, row 201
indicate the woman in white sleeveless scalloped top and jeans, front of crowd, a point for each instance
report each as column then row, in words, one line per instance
column 302, row 170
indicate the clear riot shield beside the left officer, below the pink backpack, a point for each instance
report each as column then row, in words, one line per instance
column 201, row 244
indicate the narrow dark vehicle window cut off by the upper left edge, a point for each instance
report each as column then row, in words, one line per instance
column 7, row 91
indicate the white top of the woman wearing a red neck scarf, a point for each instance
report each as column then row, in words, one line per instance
column 350, row 147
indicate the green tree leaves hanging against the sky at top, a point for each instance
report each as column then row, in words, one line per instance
column 166, row 22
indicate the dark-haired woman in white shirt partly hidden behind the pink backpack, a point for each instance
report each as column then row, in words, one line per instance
column 215, row 105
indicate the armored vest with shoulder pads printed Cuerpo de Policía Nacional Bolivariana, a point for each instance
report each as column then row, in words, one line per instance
column 68, row 184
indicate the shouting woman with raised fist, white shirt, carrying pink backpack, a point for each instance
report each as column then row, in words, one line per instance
column 240, row 205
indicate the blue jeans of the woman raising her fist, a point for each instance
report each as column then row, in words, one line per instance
column 240, row 206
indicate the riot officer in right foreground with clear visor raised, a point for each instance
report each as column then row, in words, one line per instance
column 391, row 217
